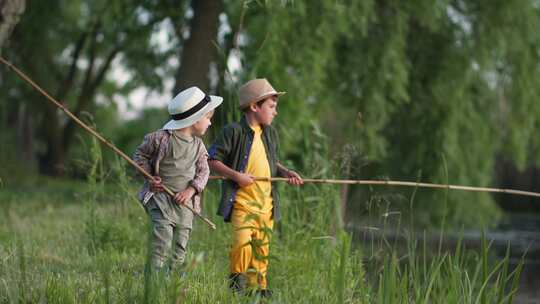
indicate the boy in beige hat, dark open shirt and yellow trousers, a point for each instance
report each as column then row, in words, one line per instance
column 242, row 151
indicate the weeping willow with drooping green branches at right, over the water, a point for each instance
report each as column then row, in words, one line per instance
column 437, row 87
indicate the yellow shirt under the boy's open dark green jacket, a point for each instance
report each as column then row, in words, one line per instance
column 257, row 197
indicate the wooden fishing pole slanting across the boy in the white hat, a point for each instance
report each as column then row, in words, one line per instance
column 99, row 137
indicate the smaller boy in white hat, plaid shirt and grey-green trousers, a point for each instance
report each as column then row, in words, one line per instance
column 177, row 158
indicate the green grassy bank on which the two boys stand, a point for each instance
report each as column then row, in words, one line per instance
column 86, row 242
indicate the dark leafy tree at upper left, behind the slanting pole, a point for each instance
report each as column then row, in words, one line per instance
column 69, row 48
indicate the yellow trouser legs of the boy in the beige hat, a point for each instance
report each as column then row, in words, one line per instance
column 251, row 244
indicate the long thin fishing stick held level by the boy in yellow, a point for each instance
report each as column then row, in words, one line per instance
column 394, row 183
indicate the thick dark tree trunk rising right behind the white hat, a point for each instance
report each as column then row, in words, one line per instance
column 199, row 50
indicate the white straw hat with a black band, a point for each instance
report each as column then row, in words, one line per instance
column 189, row 106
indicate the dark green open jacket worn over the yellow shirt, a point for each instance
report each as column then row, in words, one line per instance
column 232, row 148
